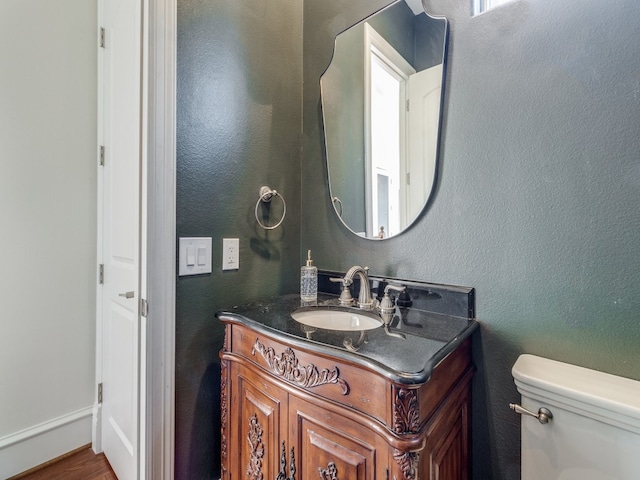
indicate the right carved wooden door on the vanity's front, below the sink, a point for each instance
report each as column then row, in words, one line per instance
column 329, row 446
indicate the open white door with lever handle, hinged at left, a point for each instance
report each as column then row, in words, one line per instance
column 120, row 112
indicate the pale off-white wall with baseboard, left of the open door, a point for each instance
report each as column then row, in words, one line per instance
column 47, row 228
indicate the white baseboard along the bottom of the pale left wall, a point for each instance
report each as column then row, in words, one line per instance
column 36, row 445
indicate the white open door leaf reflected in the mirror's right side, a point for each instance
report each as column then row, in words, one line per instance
column 424, row 115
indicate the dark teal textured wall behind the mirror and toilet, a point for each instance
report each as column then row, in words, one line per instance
column 537, row 203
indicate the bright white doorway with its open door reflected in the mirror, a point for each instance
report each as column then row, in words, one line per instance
column 403, row 109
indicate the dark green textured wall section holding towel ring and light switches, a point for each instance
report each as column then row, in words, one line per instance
column 239, row 126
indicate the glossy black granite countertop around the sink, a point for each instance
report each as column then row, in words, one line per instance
column 406, row 352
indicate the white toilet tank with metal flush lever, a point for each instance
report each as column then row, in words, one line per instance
column 595, row 430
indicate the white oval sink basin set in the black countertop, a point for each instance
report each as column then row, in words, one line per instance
column 332, row 319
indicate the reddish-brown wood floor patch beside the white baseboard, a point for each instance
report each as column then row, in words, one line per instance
column 82, row 464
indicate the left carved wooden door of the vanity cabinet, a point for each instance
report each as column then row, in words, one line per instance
column 259, row 426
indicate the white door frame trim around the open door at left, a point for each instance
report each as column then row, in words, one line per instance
column 157, row 368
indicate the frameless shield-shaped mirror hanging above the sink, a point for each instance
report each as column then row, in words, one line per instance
column 381, row 104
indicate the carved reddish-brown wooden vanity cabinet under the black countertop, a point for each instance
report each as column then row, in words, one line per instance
column 292, row 413
